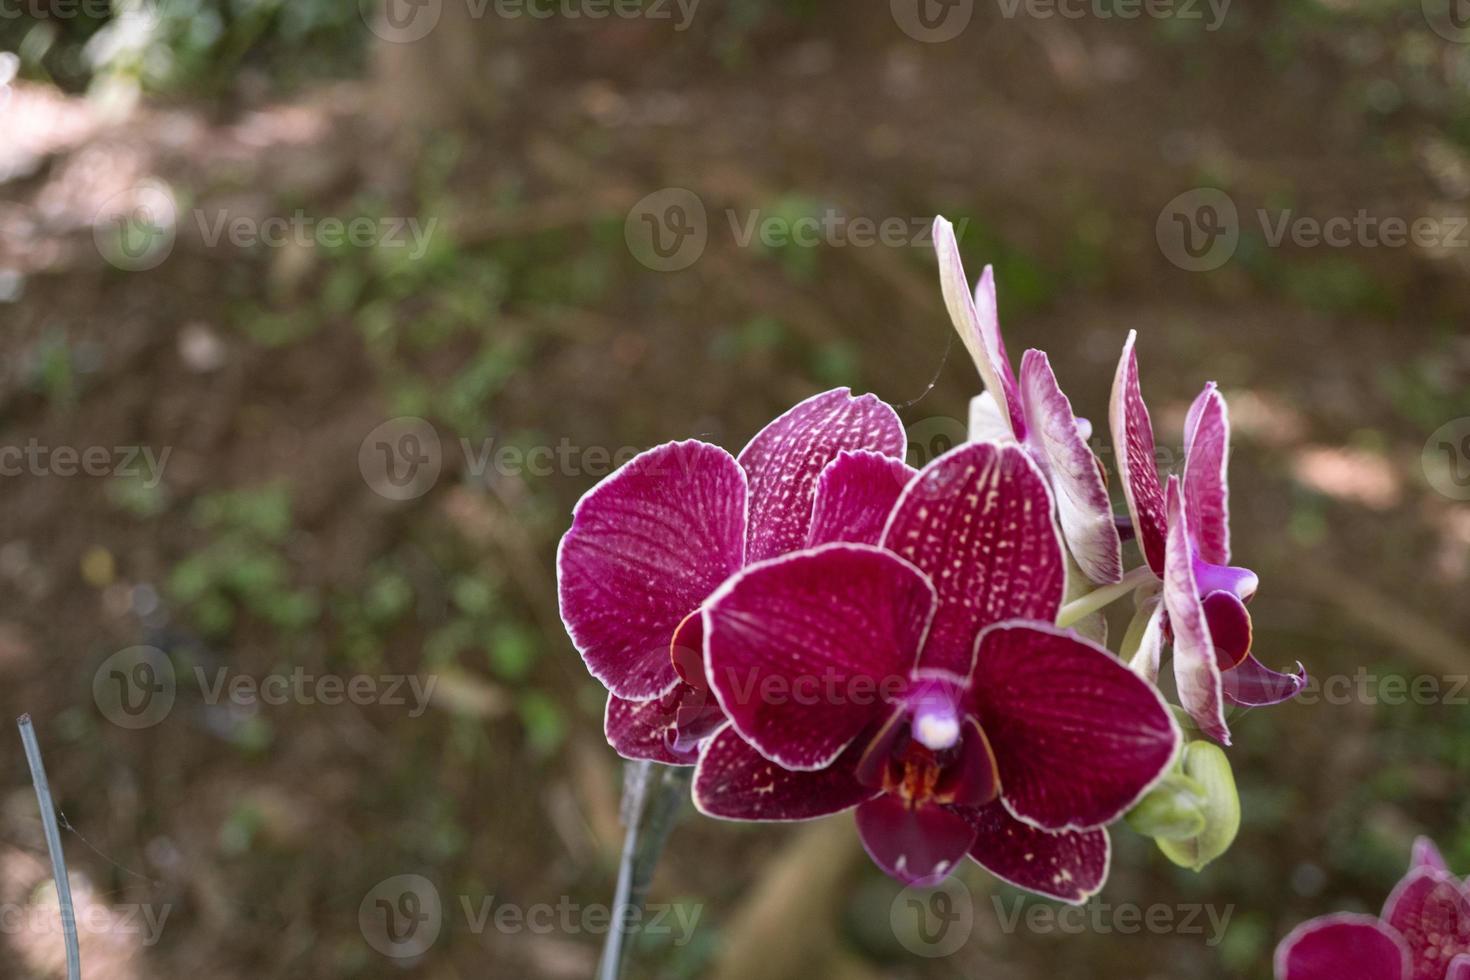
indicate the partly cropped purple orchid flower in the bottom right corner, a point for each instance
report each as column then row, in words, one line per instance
column 1422, row 935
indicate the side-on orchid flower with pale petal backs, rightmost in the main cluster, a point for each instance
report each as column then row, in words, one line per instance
column 1186, row 538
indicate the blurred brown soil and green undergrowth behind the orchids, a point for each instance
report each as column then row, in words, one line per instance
column 261, row 503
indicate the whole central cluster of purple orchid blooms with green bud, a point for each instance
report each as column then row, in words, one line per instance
column 817, row 627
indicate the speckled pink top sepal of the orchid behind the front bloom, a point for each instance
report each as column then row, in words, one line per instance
column 787, row 458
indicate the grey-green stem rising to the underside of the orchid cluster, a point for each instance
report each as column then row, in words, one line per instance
column 652, row 800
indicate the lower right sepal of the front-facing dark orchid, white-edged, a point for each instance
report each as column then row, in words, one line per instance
column 1071, row 866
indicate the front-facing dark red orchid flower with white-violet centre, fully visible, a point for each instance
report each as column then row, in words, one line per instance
column 922, row 681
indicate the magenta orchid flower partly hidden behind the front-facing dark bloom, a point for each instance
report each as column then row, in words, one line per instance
column 652, row 543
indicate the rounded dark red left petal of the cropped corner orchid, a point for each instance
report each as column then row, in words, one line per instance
column 1343, row 947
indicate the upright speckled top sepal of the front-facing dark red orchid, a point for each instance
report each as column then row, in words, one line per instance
column 978, row 522
